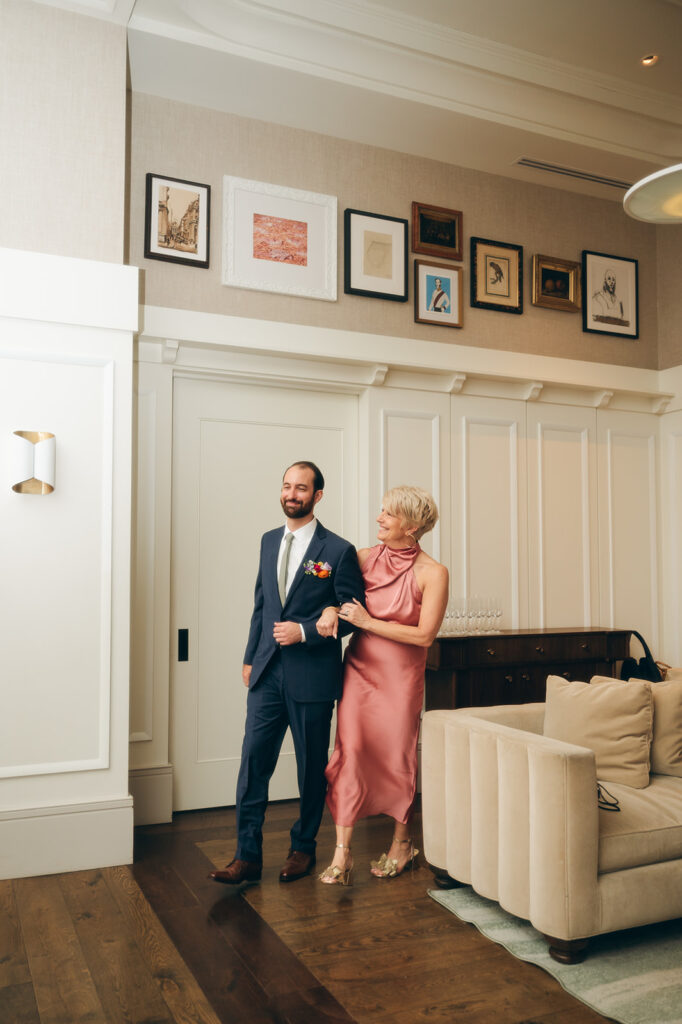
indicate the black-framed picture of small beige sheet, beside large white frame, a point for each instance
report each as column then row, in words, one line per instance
column 375, row 257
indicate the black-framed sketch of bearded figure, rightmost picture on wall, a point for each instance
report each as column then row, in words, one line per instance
column 610, row 289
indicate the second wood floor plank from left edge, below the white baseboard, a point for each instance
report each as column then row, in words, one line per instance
column 65, row 993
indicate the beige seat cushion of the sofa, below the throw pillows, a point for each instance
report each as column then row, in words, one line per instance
column 649, row 829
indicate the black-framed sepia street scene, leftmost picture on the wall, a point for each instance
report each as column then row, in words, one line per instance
column 178, row 221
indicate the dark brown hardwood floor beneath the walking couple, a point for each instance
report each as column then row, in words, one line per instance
column 161, row 944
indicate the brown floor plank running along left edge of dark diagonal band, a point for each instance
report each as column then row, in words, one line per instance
column 179, row 988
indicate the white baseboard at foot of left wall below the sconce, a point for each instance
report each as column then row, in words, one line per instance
column 66, row 838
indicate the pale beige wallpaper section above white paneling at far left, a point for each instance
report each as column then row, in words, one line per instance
column 63, row 81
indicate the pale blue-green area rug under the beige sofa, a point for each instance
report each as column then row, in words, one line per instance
column 634, row 977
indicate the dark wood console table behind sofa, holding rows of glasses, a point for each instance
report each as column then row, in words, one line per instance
column 511, row 667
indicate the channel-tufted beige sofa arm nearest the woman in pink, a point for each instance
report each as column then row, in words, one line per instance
column 515, row 815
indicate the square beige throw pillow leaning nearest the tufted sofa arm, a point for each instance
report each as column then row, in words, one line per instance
column 613, row 719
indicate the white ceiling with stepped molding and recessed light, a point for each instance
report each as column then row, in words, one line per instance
column 479, row 83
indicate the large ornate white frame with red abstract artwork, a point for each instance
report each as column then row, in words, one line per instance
column 279, row 240
